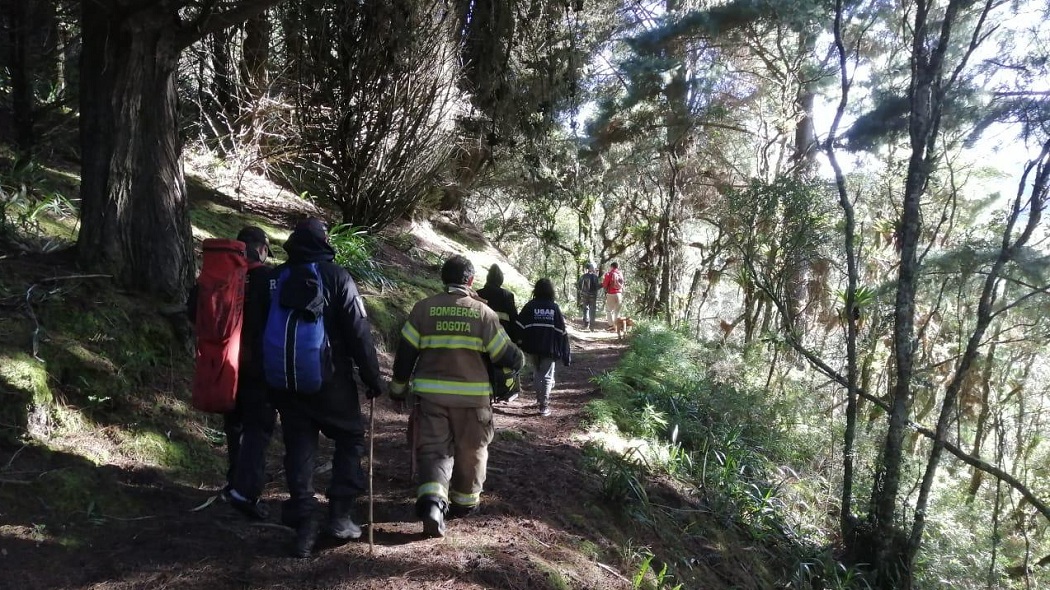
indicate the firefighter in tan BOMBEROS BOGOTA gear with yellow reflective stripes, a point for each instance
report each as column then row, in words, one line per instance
column 445, row 349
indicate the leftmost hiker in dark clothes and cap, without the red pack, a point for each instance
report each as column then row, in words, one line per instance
column 249, row 426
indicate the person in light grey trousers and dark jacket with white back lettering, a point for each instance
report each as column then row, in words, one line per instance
column 544, row 341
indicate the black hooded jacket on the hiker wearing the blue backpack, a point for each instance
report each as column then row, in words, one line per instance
column 349, row 332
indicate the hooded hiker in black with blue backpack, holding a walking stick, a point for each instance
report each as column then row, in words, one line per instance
column 311, row 277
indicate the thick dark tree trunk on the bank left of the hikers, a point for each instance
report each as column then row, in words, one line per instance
column 135, row 222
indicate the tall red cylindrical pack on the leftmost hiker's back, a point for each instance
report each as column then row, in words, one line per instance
column 220, row 318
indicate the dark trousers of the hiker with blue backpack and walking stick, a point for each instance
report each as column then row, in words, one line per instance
column 301, row 426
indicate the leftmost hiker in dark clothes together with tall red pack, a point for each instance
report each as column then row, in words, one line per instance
column 226, row 307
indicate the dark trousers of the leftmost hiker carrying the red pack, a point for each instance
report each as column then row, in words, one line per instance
column 248, row 429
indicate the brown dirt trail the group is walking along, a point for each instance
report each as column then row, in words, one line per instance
column 536, row 530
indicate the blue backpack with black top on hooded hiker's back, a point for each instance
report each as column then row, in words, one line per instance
column 297, row 352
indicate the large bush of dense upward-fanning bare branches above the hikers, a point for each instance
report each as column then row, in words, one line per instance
column 376, row 167
